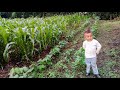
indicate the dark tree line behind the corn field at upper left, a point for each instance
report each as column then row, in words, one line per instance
column 29, row 14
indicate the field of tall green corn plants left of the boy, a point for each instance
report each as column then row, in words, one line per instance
column 21, row 39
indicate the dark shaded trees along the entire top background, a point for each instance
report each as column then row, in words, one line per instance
column 102, row 15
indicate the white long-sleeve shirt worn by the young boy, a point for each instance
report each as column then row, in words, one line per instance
column 91, row 48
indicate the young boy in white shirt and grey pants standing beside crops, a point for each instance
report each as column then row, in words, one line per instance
column 92, row 47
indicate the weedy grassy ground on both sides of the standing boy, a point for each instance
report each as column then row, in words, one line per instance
column 108, row 60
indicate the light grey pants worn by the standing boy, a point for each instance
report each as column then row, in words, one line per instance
column 91, row 62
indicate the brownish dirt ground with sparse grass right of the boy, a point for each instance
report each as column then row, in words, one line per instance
column 109, row 38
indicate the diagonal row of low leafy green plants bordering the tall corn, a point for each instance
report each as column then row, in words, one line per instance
column 35, row 70
